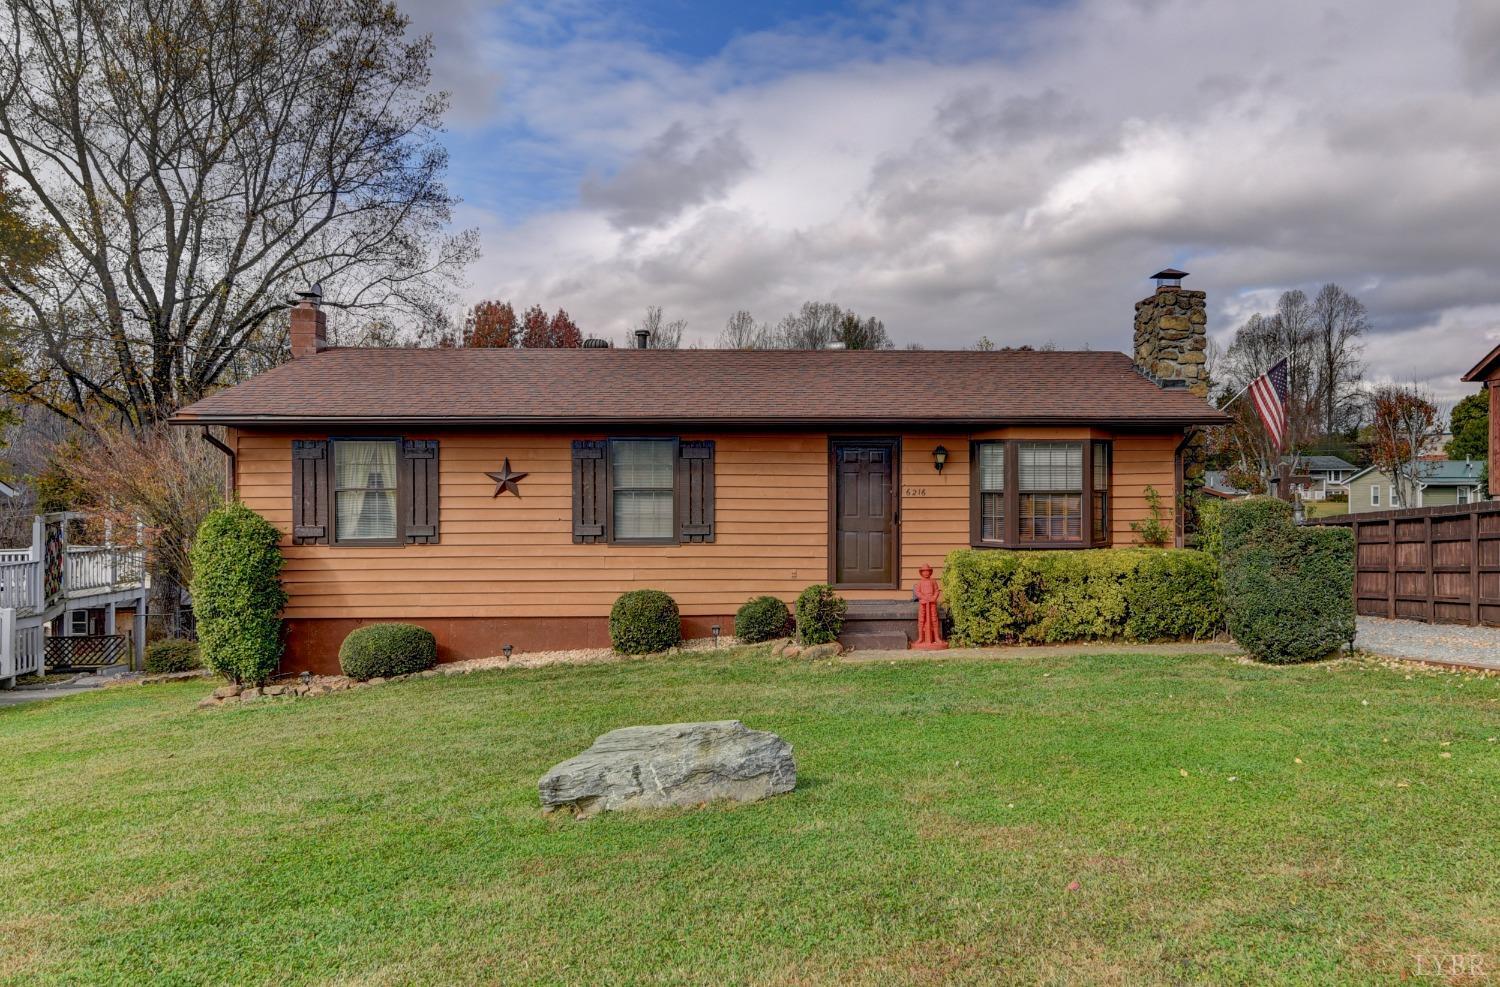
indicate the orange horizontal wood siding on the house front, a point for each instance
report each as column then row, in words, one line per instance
column 515, row 557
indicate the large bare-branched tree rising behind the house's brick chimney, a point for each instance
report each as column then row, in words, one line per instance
column 200, row 160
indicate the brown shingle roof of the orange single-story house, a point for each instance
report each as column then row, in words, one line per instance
column 707, row 386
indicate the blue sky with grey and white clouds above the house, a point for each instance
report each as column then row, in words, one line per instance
column 1003, row 170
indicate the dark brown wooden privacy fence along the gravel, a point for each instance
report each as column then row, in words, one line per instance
column 1436, row 565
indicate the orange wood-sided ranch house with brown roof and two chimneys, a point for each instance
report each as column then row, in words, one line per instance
column 511, row 496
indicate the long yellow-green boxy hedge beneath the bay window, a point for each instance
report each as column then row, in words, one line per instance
column 1088, row 595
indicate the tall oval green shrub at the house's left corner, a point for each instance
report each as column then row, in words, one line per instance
column 238, row 595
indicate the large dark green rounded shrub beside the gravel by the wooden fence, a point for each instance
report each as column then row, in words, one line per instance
column 1289, row 592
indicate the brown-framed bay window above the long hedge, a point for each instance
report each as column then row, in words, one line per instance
column 1039, row 494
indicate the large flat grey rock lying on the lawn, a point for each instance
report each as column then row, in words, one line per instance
column 674, row 766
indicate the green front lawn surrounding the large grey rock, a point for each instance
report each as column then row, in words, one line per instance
column 392, row 836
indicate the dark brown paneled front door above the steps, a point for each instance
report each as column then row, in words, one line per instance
column 865, row 512
